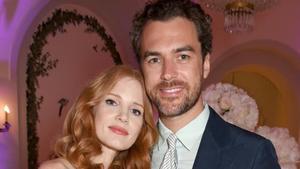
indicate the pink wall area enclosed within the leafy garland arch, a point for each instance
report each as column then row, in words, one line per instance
column 78, row 64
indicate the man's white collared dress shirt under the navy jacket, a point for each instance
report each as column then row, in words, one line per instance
column 189, row 138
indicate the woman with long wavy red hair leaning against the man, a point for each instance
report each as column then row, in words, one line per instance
column 109, row 126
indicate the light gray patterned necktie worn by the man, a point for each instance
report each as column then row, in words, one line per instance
column 169, row 161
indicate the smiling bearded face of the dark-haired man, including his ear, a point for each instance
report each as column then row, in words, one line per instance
column 172, row 65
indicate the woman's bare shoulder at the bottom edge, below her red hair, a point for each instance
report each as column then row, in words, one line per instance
column 58, row 163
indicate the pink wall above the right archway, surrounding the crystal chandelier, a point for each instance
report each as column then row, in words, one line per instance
column 279, row 23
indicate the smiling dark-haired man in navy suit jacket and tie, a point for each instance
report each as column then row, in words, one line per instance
column 172, row 40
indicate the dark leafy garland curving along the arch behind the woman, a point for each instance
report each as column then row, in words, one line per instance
column 38, row 65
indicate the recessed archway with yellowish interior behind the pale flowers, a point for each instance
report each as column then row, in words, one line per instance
column 257, row 65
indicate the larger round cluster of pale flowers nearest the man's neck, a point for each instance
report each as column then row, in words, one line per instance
column 233, row 104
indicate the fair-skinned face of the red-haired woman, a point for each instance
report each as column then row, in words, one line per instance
column 119, row 116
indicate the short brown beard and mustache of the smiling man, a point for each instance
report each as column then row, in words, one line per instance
column 167, row 107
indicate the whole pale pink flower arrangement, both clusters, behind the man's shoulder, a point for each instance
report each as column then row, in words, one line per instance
column 235, row 106
